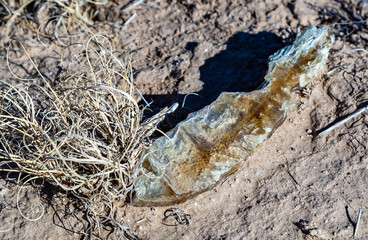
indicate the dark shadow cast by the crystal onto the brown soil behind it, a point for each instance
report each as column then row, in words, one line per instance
column 240, row 67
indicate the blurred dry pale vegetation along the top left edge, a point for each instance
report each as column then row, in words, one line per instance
column 32, row 14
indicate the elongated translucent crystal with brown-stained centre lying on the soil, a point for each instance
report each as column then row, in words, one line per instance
column 211, row 143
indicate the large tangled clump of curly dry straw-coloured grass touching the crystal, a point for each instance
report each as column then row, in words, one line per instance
column 84, row 134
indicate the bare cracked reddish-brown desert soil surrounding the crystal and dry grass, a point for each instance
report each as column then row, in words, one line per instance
column 207, row 47
